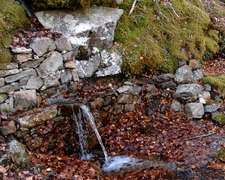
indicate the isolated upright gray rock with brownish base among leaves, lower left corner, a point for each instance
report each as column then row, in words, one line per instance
column 18, row 154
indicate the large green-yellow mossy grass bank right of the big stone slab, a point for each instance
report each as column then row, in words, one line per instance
column 156, row 36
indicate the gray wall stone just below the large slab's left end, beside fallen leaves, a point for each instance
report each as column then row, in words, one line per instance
column 42, row 45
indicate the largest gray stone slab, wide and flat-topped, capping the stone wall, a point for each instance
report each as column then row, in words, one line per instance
column 101, row 21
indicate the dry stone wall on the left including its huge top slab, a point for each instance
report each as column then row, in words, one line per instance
column 82, row 51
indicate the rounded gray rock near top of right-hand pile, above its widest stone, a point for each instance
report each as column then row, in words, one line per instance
column 184, row 74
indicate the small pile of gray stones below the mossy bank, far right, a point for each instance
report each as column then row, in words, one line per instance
column 195, row 97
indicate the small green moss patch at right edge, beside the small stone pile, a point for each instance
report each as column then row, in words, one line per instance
column 216, row 81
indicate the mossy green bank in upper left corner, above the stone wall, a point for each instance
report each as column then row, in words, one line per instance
column 12, row 17
